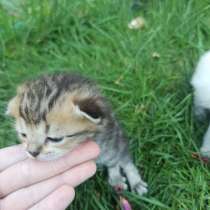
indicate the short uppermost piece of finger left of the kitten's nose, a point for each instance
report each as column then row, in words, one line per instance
column 11, row 155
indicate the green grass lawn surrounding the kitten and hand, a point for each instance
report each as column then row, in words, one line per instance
column 152, row 97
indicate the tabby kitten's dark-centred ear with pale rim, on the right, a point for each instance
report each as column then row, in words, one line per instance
column 90, row 108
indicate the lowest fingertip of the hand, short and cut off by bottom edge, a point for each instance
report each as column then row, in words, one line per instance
column 58, row 200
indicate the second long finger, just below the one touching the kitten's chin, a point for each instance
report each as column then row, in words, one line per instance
column 72, row 177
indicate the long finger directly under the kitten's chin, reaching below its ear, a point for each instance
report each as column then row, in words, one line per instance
column 30, row 171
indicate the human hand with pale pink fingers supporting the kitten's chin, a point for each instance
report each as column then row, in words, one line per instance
column 34, row 185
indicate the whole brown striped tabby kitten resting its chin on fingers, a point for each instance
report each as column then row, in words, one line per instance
column 55, row 113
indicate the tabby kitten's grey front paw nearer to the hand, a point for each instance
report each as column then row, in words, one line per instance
column 116, row 179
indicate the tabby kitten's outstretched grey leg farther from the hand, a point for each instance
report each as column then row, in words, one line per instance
column 134, row 179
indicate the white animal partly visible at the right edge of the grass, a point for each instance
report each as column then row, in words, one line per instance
column 201, row 84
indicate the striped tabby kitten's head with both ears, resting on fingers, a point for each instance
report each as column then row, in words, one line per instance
column 56, row 113
